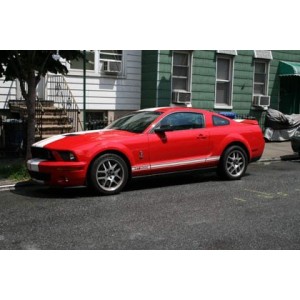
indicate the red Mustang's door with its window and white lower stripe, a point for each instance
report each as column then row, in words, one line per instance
column 179, row 142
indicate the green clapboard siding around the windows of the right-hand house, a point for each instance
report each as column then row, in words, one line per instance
column 157, row 77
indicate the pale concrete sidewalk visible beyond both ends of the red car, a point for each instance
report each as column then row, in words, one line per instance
column 273, row 151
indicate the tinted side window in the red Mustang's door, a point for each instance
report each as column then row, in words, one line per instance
column 182, row 121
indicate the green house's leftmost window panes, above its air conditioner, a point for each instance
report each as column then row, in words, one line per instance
column 181, row 71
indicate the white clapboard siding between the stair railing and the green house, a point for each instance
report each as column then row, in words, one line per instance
column 110, row 93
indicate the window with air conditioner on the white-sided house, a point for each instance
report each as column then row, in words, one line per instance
column 111, row 62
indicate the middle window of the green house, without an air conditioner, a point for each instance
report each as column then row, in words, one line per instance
column 224, row 81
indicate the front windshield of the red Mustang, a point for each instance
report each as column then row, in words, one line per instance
column 136, row 122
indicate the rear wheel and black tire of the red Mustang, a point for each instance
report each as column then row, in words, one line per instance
column 233, row 163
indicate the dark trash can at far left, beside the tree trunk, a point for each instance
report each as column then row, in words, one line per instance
column 13, row 132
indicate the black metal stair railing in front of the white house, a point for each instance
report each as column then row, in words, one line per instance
column 61, row 95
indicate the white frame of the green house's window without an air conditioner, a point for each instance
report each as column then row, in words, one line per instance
column 231, row 76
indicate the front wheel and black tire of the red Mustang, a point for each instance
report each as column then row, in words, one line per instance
column 108, row 174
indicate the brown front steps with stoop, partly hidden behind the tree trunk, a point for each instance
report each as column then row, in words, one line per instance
column 50, row 119
